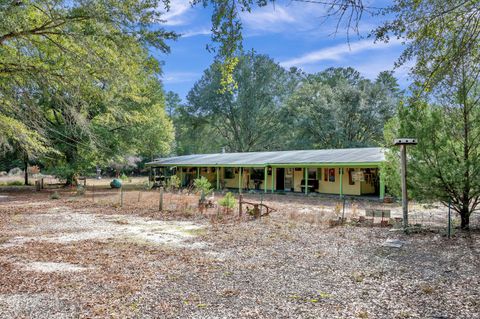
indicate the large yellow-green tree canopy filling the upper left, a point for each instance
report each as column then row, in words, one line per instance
column 89, row 87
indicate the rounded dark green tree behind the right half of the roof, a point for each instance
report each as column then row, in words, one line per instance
column 338, row 108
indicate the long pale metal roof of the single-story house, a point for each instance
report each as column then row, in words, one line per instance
column 353, row 156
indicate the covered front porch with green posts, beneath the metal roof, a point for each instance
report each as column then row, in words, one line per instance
column 335, row 178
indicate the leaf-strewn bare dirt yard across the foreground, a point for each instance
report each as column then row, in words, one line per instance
column 108, row 254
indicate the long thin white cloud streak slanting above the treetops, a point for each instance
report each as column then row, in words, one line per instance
column 338, row 52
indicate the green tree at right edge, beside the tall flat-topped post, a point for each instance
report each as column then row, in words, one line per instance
column 444, row 165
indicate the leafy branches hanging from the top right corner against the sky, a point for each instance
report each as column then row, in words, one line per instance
column 439, row 35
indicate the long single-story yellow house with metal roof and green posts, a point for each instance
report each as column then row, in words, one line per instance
column 352, row 171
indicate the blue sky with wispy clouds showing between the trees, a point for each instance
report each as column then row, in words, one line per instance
column 292, row 33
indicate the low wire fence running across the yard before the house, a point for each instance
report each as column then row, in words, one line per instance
column 318, row 209
